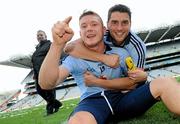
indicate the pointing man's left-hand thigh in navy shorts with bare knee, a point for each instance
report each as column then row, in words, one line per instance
column 92, row 110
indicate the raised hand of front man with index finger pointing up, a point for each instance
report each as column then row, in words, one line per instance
column 61, row 31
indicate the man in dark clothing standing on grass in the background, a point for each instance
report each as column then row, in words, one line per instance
column 38, row 56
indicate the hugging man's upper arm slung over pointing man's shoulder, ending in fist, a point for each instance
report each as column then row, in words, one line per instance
column 77, row 49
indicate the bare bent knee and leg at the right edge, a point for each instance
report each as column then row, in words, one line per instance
column 168, row 90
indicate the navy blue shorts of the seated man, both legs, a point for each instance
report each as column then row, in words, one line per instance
column 124, row 105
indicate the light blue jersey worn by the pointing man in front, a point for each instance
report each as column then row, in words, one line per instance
column 78, row 66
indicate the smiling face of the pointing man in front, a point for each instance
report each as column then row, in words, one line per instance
column 91, row 30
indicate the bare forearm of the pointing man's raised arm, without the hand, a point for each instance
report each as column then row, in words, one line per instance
column 49, row 71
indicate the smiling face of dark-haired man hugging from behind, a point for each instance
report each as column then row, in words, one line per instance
column 119, row 25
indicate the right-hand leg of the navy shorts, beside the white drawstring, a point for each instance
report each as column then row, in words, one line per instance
column 133, row 103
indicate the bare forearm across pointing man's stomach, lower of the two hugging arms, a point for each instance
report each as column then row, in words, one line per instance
column 115, row 84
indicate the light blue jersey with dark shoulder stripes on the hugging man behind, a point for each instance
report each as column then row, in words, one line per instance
column 133, row 44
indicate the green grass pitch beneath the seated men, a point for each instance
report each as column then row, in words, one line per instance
column 158, row 114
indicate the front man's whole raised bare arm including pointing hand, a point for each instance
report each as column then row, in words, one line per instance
column 50, row 72
